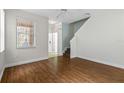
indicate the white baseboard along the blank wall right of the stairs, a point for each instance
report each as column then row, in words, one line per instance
column 103, row 62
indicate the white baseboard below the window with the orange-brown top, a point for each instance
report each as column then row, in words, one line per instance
column 25, row 62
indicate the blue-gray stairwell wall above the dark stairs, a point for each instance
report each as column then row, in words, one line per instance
column 68, row 31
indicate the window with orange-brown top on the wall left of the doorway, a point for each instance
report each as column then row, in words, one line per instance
column 25, row 33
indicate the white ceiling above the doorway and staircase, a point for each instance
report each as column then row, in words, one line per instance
column 70, row 16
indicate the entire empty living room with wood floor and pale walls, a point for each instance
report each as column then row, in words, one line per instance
column 61, row 46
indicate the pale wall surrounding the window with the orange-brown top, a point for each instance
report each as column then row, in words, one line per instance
column 16, row 56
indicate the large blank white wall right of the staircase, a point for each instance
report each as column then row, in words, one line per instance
column 101, row 38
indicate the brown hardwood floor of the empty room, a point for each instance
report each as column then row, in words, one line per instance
column 62, row 69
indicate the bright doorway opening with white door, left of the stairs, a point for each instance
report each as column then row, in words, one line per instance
column 54, row 41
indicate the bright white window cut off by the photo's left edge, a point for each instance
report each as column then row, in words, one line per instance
column 2, row 31
